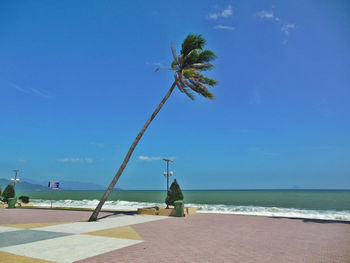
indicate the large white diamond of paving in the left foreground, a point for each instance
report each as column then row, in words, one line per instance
column 69, row 248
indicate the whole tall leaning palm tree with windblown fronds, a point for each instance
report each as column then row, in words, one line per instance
column 188, row 79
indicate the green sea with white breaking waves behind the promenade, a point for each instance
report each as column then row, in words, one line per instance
column 315, row 204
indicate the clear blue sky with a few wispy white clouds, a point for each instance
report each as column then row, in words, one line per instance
column 77, row 83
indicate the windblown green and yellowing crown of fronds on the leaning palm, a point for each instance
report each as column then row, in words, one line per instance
column 189, row 65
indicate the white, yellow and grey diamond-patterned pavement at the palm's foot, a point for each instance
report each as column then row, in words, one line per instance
column 68, row 242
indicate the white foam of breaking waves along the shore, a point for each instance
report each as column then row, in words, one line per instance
column 207, row 208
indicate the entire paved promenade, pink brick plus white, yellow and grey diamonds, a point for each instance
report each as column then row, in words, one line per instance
column 197, row 238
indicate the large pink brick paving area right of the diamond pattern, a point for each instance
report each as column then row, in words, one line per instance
column 231, row 238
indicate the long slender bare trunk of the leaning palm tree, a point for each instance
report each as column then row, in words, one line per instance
column 98, row 208
